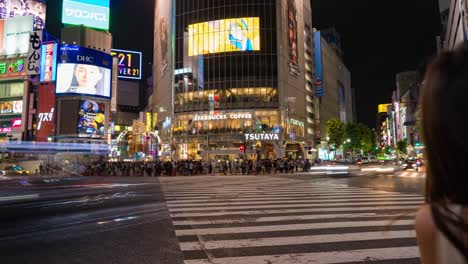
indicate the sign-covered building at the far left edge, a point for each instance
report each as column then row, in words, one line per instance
column 20, row 55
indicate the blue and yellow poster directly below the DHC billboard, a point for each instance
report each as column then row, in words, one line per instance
column 91, row 119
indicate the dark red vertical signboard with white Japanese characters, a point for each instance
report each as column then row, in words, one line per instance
column 45, row 112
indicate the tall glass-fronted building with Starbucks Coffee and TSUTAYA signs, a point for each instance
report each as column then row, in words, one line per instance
column 230, row 79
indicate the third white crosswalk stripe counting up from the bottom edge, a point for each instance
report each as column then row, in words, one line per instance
column 257, row 229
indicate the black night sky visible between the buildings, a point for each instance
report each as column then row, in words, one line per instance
column 380, row 38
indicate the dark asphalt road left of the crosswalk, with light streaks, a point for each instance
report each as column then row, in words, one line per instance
column 85, row 220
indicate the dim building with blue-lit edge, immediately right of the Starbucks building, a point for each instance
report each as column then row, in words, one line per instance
column 334, row 87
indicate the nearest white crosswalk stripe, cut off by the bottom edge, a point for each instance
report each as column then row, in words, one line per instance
column 333, row 257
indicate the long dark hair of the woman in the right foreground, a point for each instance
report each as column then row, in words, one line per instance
column 444, row 105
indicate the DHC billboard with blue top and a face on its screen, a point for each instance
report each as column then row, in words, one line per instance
column 83, row 71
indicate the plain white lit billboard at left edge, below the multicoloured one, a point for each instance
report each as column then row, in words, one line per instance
column 16, row 35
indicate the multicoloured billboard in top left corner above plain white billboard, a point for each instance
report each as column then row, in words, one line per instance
column 17, row 8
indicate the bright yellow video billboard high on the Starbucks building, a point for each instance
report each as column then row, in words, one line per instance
column 225, row 35
